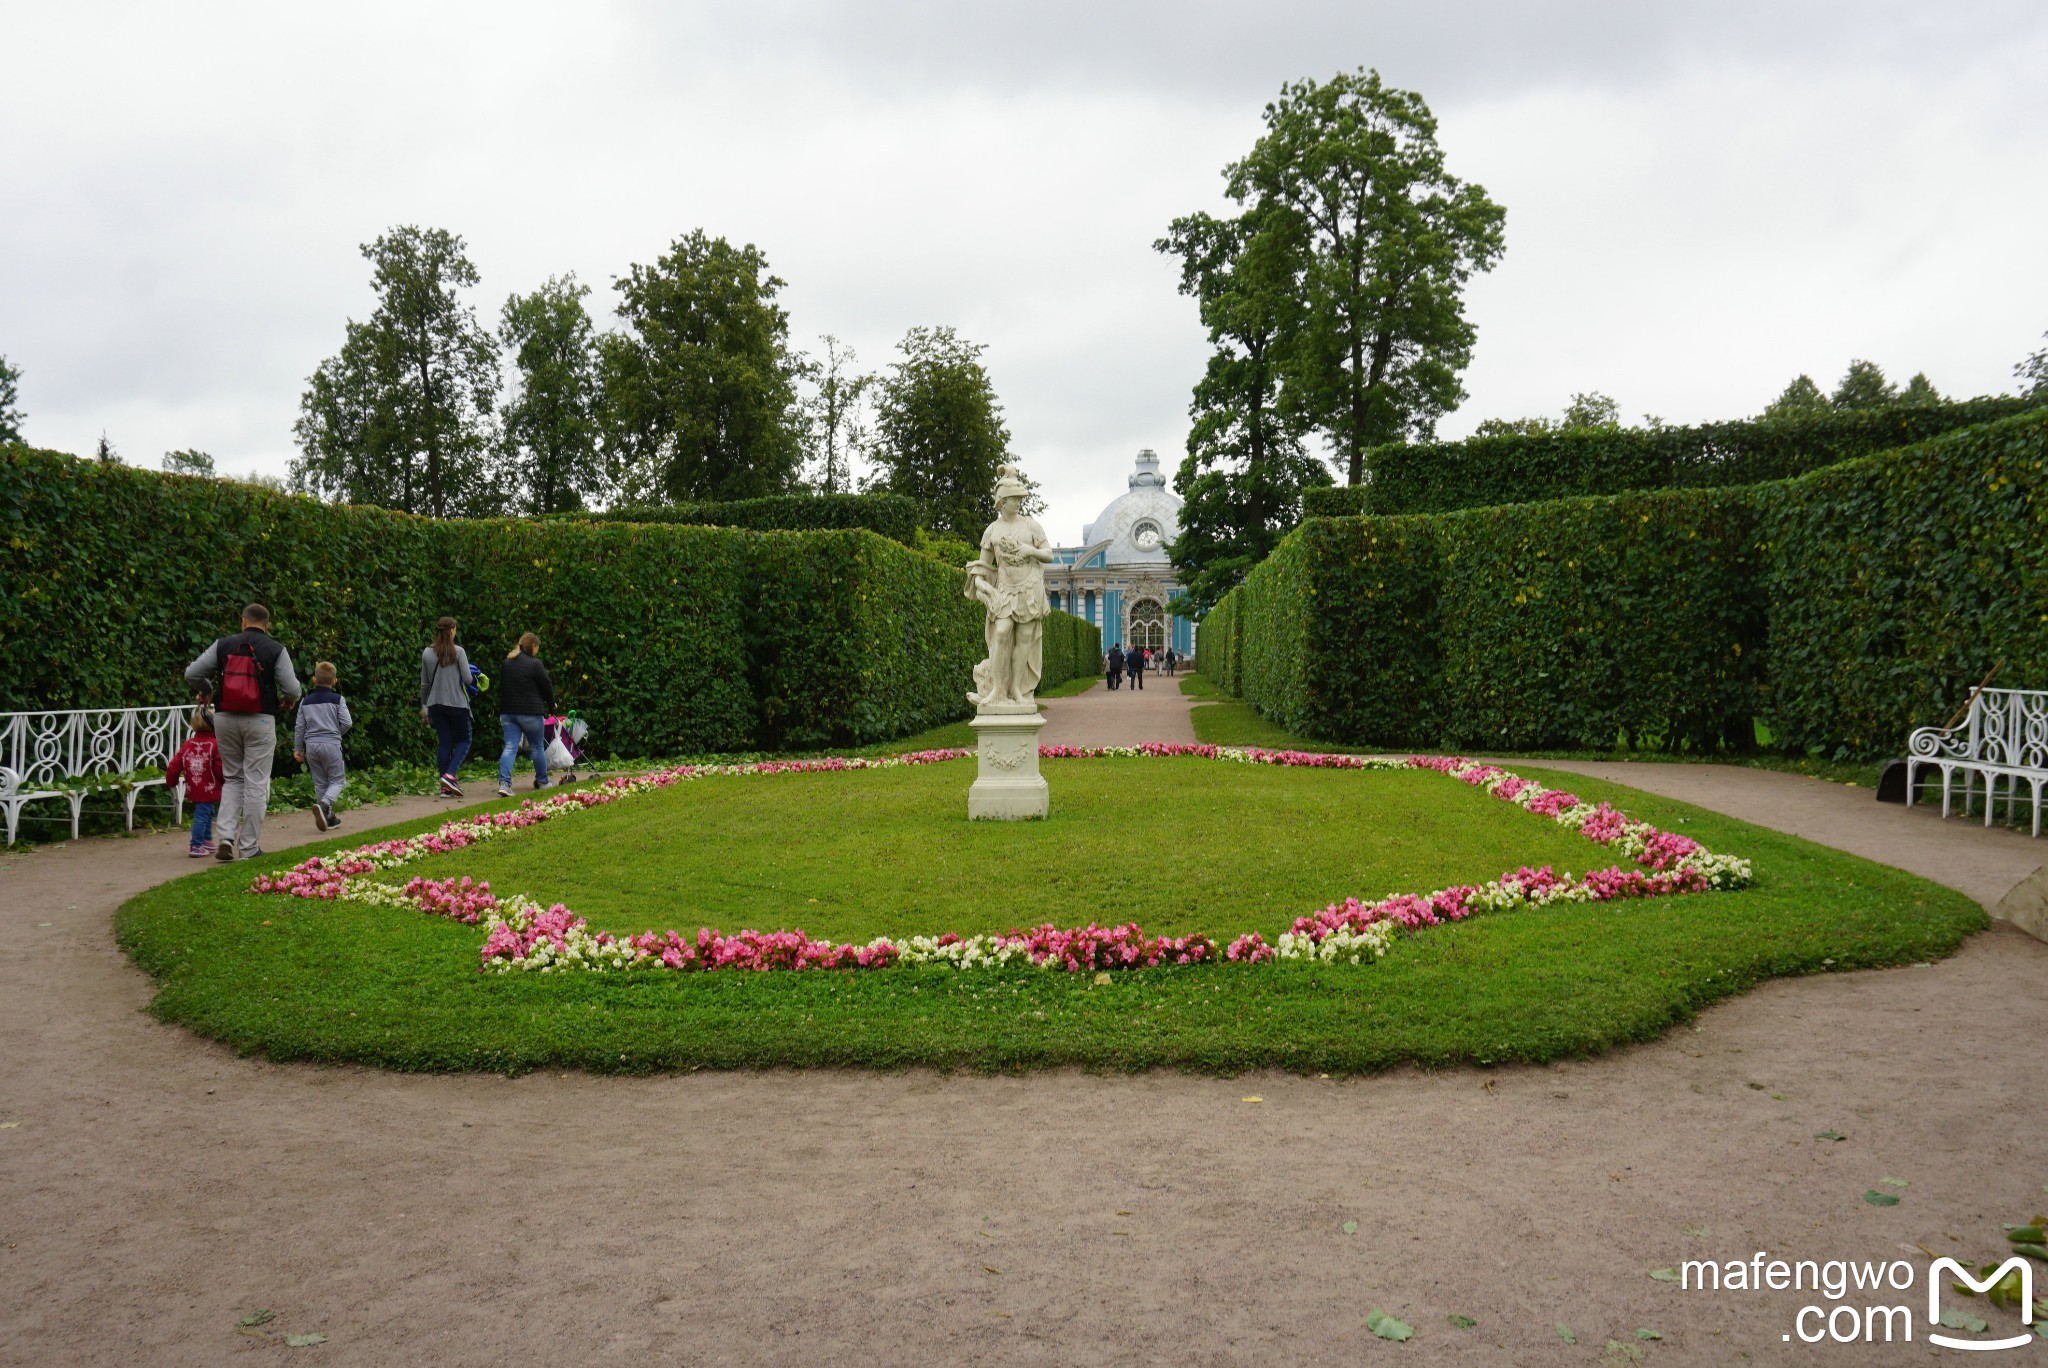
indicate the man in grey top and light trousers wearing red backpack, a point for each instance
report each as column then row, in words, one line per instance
column 257, row 685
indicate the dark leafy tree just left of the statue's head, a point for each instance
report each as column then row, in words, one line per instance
column 941, row 431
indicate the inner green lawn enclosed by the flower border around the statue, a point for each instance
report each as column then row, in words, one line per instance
column 882, row 853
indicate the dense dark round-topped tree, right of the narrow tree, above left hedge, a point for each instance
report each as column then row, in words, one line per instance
column 699, row 396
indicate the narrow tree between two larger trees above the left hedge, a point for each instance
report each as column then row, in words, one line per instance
column 552, row 425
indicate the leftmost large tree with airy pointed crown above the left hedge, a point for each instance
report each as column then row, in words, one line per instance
column 400, row 417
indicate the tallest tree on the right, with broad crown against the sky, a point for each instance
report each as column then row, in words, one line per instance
column 1392, row 241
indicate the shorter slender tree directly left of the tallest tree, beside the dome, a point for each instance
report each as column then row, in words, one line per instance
column 1246, row 466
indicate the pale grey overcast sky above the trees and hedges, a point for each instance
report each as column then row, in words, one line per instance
column 1703, row 202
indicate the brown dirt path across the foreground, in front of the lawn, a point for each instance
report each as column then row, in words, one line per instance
column 155, row 1189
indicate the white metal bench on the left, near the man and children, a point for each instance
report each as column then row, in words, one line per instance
column 87, row 751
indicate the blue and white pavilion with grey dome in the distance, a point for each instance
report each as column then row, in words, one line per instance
column 1121, row 579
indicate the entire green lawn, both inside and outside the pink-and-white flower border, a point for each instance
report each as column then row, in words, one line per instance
column 1181, row 845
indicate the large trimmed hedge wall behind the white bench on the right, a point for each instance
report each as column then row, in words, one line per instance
column 1842, row 609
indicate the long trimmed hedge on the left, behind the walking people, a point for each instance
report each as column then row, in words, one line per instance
column 665, row 638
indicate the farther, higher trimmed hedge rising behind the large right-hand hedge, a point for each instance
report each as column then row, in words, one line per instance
column 1521, row 470
